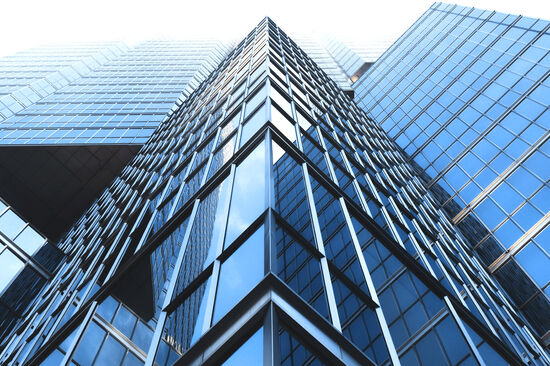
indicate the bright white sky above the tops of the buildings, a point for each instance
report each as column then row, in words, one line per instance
column 29, row 23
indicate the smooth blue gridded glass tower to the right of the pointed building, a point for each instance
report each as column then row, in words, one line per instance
column 465, row 93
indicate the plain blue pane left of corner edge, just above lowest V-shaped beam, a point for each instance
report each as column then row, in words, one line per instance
column 240, row 273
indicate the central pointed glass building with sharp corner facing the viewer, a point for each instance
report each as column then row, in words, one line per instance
column 269, row 221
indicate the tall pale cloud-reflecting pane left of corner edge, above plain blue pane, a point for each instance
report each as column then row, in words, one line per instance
column 248, row 198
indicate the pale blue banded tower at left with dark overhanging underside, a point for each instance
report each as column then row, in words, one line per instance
column 78, row 113
